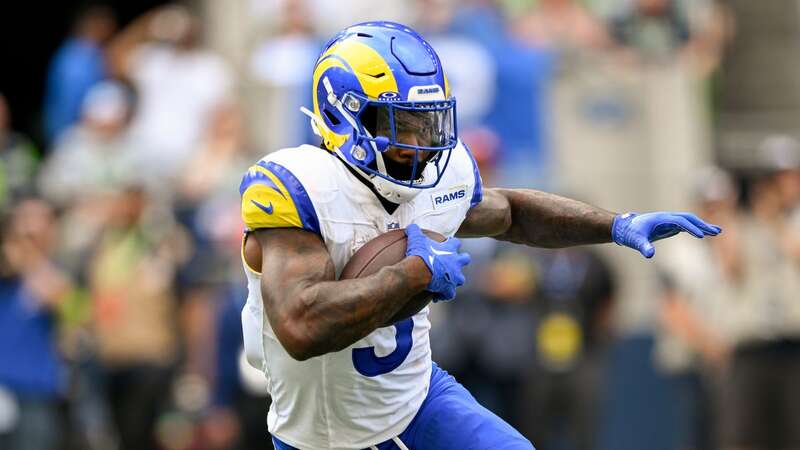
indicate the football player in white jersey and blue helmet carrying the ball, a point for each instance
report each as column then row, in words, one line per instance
column 390, row 158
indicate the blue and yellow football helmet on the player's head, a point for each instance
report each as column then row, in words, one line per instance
column 378, row 86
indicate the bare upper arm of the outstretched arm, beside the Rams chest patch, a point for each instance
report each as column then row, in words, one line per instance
column 490, row 217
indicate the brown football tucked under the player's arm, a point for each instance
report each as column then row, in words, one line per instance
column 387, row 249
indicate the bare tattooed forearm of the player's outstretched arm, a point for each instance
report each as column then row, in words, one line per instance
column 548, row 220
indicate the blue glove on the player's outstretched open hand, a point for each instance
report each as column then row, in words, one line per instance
column 638, row 231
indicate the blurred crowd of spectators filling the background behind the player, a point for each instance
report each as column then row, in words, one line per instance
column 120, row 275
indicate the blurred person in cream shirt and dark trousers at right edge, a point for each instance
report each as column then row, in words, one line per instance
column 760, row 391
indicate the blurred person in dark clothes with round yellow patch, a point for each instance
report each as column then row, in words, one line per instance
column 572, row 303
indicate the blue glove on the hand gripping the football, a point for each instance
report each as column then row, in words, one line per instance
column 443, row 260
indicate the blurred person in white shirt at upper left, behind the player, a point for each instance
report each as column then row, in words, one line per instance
column 180, row 85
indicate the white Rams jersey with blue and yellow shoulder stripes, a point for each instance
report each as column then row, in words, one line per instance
column 370, row 391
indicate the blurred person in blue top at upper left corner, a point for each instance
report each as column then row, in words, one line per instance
column 77, row 65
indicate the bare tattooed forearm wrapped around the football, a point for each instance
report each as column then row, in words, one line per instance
column 333, row 315
